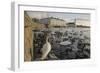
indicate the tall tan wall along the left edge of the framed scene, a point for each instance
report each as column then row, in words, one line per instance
column 27, row 37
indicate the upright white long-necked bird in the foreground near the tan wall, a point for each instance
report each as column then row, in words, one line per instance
column 45, row 49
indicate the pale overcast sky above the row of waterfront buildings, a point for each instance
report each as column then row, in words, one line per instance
column 65, row 16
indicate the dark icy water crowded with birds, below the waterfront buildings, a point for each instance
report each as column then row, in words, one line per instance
column 64, row 51
